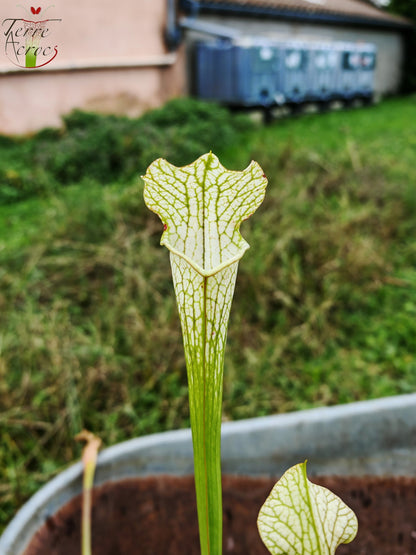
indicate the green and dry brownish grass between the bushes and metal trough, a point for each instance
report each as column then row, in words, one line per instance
column 324, row 310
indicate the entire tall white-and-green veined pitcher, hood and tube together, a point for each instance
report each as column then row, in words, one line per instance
column 202, row 206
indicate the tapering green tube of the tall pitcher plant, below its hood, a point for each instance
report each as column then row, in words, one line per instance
column 208, row 300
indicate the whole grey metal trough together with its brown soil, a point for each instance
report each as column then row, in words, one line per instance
column 144, row 499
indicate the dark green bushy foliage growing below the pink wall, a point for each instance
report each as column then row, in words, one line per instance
column 108, row 148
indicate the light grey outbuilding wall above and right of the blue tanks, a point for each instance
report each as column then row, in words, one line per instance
column 390, row 47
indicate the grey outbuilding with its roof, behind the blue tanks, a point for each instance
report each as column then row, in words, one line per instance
column 329, row 21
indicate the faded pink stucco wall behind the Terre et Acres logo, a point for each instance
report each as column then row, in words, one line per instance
column 111, row 57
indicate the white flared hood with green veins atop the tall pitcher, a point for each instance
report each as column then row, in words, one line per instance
column 202, row 206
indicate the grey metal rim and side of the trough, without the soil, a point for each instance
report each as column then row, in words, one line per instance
column 375, row 437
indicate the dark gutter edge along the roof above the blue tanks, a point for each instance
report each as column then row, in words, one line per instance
column 205, row 6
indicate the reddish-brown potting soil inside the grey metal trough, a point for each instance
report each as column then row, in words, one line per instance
column 157, row 516
